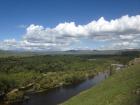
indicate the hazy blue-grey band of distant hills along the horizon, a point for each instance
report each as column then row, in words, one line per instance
column 6, row 53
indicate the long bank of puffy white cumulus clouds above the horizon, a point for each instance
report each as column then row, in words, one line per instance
column 123, row 32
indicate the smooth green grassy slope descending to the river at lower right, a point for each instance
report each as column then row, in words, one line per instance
column 119, row 89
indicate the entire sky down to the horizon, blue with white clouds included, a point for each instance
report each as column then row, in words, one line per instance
column 52, row 25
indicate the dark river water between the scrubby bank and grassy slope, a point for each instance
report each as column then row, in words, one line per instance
column 61, row 94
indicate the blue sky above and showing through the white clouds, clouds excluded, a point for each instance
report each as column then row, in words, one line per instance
column 17, row 15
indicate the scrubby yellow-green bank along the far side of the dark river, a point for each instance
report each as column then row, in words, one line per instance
column 46, row 82
